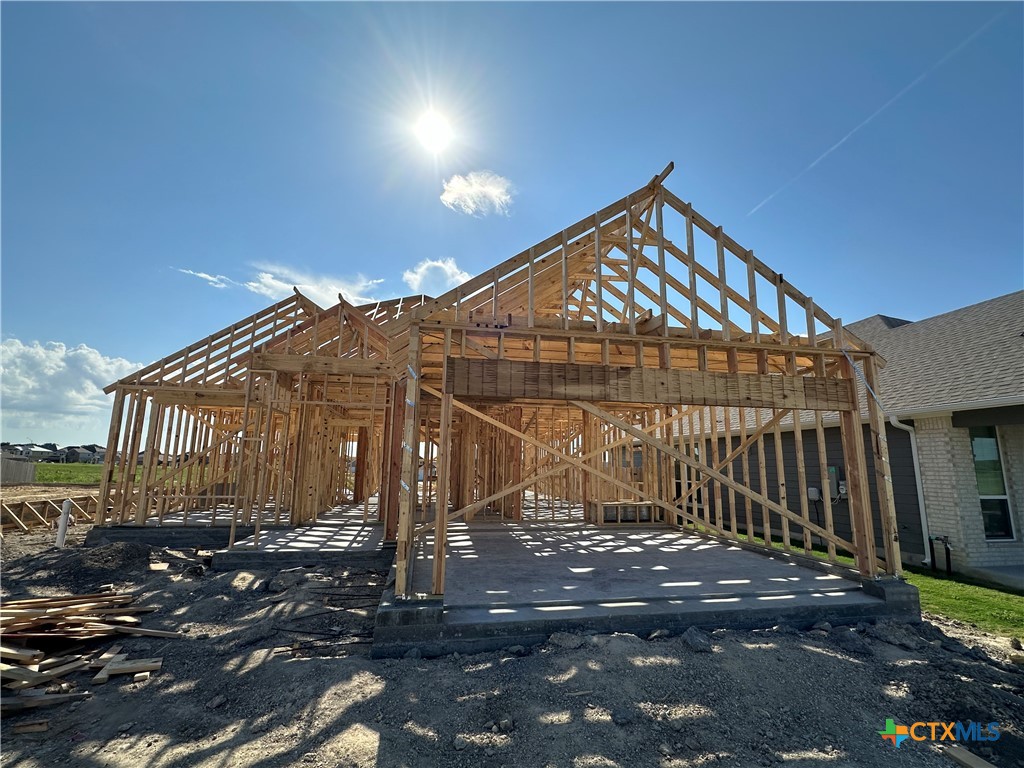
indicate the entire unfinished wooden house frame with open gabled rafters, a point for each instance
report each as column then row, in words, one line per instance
column 641, row 360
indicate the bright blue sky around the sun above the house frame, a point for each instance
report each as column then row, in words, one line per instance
column 264, row 145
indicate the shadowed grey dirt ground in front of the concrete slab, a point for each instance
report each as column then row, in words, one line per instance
column 275, row 671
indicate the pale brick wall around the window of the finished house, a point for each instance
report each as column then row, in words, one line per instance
column 952, row 491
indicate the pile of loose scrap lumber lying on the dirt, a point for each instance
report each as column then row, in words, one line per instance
column 57, row 622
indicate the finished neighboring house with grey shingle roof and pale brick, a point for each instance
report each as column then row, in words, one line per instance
column 959, row 379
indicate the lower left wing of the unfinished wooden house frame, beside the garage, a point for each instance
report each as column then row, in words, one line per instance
column 272, row 421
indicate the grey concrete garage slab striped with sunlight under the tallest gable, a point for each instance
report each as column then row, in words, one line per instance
column 516, row 584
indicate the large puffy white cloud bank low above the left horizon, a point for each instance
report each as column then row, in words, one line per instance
column 53, row 393
